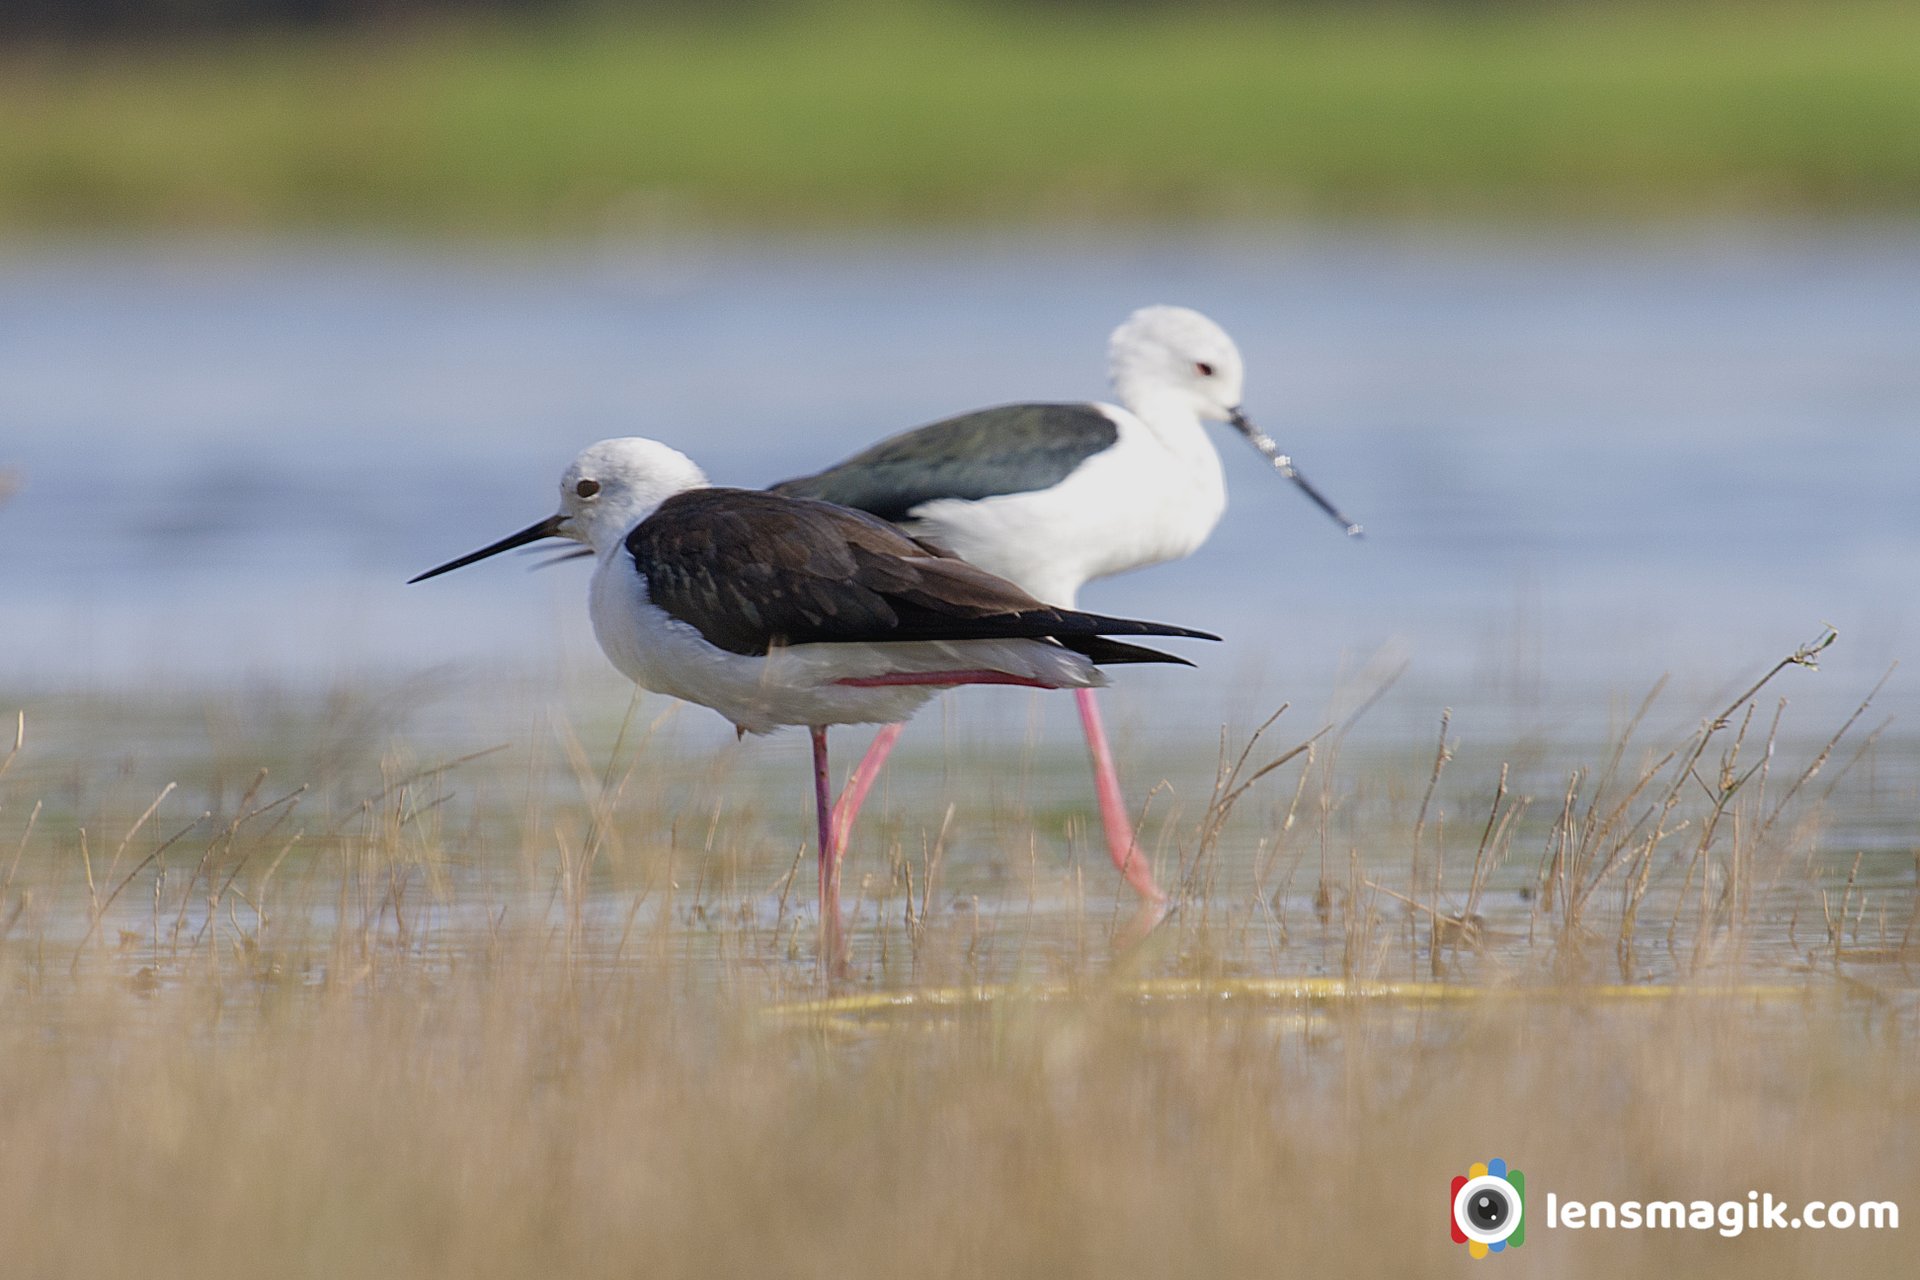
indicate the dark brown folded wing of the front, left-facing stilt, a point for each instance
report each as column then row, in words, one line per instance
column 754, row 571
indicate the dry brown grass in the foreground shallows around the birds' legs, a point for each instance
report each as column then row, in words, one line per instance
column 554, row 1010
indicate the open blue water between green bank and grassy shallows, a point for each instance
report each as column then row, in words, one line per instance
column 1581, row 460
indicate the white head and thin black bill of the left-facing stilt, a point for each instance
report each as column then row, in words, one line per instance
column 608, row 490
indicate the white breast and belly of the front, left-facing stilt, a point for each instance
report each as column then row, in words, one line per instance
column 796, row 686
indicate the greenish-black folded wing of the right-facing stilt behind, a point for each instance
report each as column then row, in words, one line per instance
column 986, row 454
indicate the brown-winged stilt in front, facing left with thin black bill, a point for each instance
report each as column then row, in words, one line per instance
column 786, row 611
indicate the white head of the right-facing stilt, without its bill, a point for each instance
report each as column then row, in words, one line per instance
column 1176, row 360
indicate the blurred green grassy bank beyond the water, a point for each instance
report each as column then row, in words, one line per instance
column 936, row 114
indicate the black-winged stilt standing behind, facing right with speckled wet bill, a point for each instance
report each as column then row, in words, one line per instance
column 1055, row 496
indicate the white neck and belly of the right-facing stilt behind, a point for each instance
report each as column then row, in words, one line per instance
column 1140, row 504
